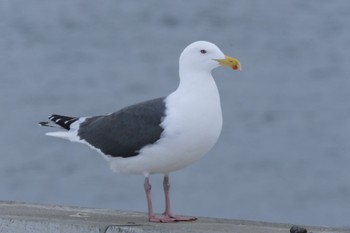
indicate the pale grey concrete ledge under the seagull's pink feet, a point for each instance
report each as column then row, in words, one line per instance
column 29, row 218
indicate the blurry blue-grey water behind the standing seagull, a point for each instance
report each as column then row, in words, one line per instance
column 283, row 155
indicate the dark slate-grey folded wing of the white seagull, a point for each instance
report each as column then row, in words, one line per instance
column 125, row 132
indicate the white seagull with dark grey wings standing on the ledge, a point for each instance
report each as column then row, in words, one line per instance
column 161, row 135
